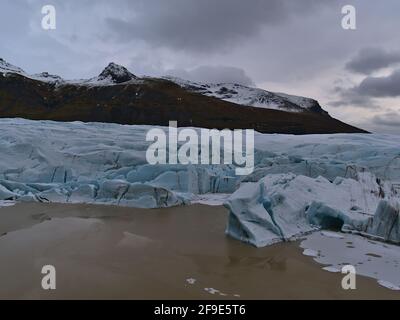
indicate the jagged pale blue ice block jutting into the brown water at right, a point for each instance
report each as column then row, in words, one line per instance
column 284, row 207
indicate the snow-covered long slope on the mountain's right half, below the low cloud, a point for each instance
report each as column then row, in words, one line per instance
column 252, row 97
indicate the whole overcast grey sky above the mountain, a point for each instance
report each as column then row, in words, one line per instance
column 292, row 46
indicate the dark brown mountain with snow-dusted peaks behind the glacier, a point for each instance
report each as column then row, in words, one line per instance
column 116, row 95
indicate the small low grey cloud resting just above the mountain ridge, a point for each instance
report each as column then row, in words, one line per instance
column 214, row 74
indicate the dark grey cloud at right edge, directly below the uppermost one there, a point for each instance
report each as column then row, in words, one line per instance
column 380, row 86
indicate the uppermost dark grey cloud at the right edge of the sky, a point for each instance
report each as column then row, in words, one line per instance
column 372, row 59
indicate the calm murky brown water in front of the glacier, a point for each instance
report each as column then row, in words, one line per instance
column 113, row 252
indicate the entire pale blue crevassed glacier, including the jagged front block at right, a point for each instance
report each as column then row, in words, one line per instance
column 348, row 182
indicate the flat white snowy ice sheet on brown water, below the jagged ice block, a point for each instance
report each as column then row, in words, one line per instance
column 373, row 259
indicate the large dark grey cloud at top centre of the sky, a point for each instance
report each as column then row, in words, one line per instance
column 205, row 25
